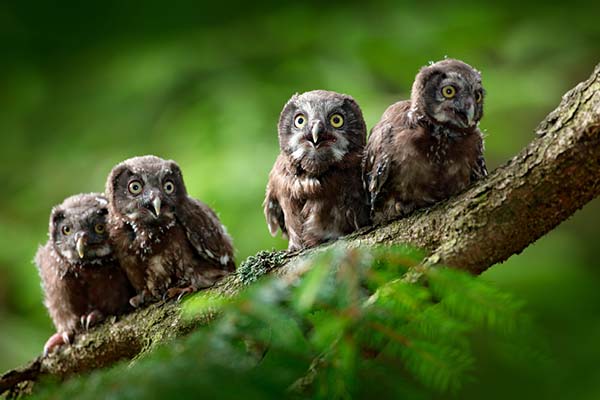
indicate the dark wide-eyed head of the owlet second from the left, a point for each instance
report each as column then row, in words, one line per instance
column 145, row 190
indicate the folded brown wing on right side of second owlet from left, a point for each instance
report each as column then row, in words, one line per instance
column 206, row 233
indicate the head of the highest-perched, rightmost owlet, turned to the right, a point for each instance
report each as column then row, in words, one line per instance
column 449, row 92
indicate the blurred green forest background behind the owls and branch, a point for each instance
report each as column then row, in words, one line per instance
column 85, row 85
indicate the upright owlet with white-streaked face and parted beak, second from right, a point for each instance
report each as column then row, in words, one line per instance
column 314, row 193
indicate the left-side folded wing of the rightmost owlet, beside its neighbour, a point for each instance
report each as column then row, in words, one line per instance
column 376, row 163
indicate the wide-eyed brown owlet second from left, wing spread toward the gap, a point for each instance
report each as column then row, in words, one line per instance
column 168, row 243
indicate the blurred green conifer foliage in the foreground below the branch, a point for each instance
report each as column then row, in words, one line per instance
column 345, row 330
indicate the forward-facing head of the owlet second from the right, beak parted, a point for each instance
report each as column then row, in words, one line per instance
column 320, row 128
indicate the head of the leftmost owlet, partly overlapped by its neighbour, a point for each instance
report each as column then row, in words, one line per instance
column 78, row 228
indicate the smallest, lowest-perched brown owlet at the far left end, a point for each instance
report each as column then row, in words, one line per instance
column 81, row 279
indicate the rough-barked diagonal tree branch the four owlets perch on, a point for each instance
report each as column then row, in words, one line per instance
column 555, row 175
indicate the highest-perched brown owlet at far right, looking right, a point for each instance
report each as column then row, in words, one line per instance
column 428, row 148
